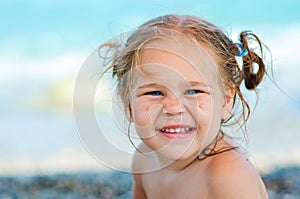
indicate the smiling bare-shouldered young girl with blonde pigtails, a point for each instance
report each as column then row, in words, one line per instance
column 178, row 79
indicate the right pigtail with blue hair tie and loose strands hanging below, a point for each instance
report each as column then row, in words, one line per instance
column 251, row 71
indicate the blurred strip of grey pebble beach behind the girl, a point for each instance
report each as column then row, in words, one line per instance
column 281, row 183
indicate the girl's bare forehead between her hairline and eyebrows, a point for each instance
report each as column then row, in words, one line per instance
column 179, row 56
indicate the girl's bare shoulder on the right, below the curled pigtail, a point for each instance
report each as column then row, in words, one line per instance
column 232, row 176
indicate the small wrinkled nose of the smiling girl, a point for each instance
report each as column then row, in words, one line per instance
column 172, row 105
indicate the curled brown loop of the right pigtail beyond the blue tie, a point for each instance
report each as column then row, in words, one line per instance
column 251, row 77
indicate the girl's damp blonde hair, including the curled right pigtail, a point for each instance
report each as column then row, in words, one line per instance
column 127, row 57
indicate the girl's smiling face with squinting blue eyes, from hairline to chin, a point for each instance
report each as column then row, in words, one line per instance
column 178, row 100
